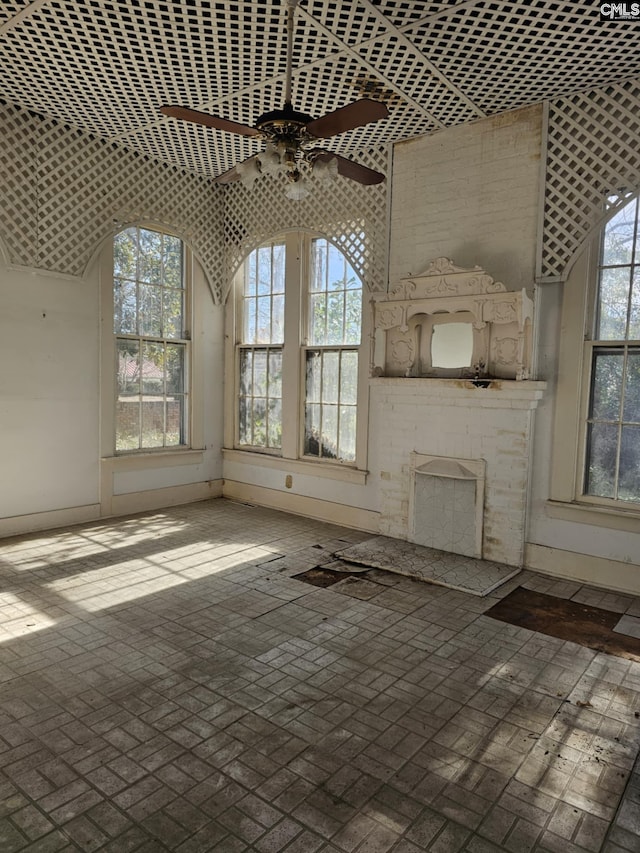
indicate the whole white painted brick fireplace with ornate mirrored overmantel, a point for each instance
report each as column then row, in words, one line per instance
column 454, row 424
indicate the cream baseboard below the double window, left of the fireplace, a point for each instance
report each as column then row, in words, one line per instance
column 334, row 513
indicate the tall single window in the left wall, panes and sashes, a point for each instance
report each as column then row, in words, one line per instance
column 151, row 340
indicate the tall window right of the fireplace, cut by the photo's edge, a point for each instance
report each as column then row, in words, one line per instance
column 612, row 468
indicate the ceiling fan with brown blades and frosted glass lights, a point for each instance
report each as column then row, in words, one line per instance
column 290, row 136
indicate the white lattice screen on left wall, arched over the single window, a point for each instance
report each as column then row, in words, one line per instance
column 63, row 192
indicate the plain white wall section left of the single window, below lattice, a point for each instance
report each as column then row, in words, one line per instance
column 49, row 392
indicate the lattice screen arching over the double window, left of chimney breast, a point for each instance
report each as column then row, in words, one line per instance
column 352, row 215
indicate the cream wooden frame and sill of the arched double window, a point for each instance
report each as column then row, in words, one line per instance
column 291, row 455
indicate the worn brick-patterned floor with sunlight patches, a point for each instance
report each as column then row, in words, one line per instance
column 166, row 683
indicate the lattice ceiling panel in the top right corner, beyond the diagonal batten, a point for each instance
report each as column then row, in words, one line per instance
column 506, row 55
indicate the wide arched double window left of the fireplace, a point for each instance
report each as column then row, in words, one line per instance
column 298, row 380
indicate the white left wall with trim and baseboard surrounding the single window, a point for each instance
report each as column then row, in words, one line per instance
column 50, row 415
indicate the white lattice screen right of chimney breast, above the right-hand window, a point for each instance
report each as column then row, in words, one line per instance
column 593, row 158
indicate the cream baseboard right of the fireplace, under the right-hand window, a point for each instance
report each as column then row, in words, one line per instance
column 585, row 568
